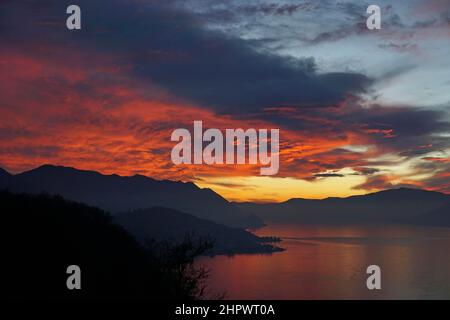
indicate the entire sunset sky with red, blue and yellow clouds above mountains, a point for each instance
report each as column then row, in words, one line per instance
column 358, row 110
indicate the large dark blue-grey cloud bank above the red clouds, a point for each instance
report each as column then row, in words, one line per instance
column 173, row 50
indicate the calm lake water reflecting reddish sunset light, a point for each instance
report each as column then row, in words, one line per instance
column 329, row 262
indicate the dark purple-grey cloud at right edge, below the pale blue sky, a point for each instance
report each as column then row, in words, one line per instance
column 406, row 130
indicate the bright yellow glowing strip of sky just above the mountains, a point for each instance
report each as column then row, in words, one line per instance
column 273, row 189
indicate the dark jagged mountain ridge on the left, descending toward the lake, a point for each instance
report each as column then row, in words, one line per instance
column 115, row 193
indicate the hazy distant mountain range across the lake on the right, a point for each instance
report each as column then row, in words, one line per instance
column 389, row 206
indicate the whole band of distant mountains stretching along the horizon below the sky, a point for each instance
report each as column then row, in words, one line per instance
column 115, row 194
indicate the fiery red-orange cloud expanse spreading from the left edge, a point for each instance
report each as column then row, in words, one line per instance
column 91, row 114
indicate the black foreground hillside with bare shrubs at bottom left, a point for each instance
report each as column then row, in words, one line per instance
column 43, row 235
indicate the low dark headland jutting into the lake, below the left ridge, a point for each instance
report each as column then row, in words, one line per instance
column 170, row 225
